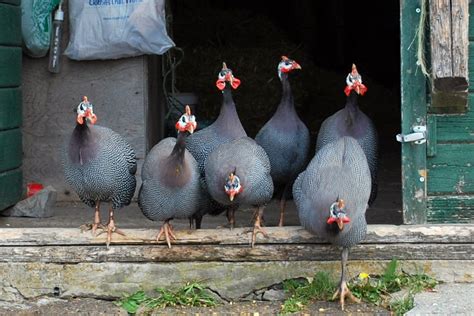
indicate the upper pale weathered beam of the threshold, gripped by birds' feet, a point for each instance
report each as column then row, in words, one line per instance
column 291, row 235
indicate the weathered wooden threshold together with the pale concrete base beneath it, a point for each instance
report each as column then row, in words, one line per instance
column 42, row 261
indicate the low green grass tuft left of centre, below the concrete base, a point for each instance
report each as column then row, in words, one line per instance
column 192, row 294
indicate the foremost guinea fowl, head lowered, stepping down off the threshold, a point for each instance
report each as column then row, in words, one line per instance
column 331, row 197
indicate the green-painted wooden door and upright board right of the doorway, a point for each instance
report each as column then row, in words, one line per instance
column 438, row 175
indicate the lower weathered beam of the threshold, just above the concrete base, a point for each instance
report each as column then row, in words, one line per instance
column 68, row 254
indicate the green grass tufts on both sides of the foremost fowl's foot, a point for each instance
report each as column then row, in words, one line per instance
column 375, row 289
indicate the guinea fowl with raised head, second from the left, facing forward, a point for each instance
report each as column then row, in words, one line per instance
column 170, row 179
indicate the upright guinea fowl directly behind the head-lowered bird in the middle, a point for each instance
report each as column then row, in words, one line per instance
column 225, row 128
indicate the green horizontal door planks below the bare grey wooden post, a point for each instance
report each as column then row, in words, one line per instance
column 450, row 159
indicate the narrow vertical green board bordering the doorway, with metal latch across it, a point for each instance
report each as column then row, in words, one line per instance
column 413, row 113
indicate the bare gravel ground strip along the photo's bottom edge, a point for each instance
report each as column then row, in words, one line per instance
column 89, row 306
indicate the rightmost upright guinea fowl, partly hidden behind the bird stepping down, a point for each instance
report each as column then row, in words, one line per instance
column 351, row 121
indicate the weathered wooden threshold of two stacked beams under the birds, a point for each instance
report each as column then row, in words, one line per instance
column 383, row 242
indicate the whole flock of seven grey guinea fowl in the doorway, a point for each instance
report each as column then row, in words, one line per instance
column 220, row 169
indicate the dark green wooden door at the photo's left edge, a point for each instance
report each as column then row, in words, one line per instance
column 11, row 182
